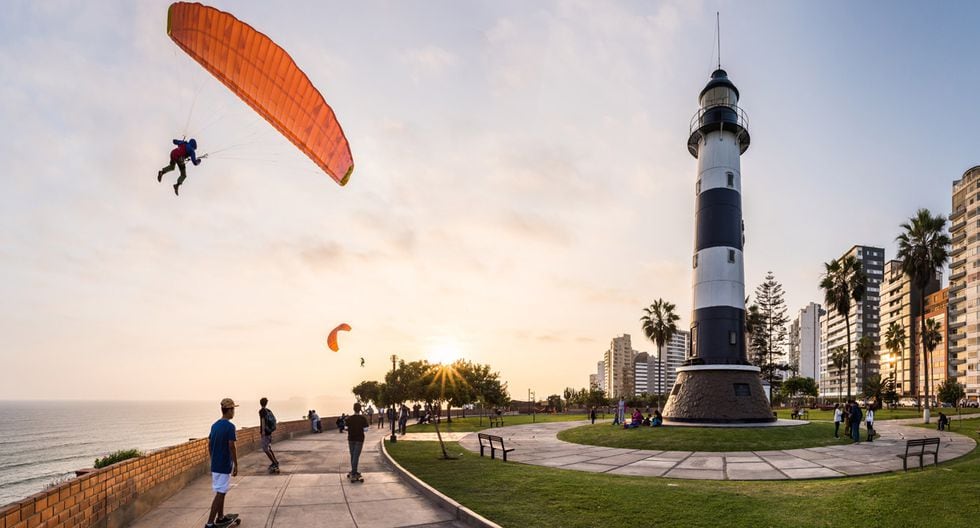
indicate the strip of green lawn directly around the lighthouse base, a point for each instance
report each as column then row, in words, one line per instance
column 816, row 434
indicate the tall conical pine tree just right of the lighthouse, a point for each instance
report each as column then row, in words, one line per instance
column 772, row 337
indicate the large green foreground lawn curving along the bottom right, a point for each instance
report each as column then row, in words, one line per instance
column 518, row 495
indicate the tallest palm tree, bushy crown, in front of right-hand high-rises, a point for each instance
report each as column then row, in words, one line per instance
column 923, row 249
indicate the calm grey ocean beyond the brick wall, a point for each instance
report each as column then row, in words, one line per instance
column 43, row 442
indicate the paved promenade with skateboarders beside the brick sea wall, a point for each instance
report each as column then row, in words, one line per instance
column 311, row 491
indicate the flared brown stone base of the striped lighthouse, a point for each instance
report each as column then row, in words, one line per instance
column 718, row 394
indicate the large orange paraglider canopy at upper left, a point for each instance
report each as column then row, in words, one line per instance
column 263, row 75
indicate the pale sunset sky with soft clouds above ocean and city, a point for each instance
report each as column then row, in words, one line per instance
column 522, row 185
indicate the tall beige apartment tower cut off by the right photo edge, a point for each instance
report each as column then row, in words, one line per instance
column 964, row 283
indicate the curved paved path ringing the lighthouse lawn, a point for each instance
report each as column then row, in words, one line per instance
column 538, row 444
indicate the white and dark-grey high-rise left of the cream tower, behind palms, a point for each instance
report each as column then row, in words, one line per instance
column 864, row 321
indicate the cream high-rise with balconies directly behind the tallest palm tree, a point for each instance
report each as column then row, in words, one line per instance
column 900, row 305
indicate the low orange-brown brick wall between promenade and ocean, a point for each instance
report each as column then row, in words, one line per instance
column 116, row 495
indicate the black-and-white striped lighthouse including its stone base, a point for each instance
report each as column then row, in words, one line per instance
column 717, row 384
